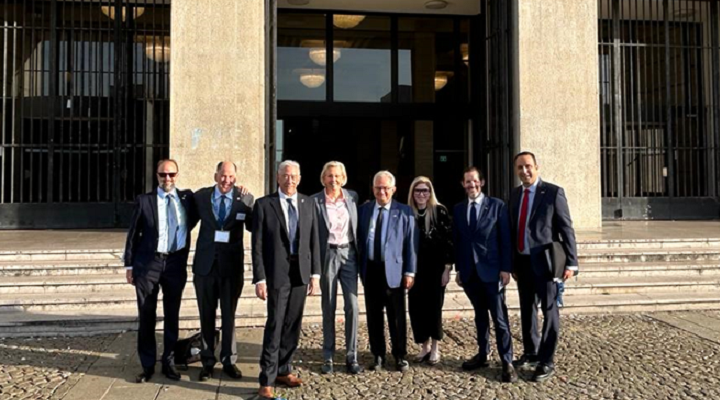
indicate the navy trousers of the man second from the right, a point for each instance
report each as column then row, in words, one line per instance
column 485, row 297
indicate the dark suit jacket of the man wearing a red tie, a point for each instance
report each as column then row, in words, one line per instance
column 549, row 221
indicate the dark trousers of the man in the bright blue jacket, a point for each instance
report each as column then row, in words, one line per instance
column 379, row 297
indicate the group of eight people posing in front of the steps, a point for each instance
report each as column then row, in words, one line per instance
column 305, row 245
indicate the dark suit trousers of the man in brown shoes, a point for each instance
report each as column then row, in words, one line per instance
column 285, row 306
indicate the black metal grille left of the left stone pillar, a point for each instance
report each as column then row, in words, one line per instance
column 85, row 103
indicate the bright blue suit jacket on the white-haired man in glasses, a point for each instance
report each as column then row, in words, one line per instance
column 401, row 242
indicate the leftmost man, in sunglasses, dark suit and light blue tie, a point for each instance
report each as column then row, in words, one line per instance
column 155, row 257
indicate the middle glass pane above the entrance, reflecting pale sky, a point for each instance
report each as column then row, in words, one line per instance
column 363, row 72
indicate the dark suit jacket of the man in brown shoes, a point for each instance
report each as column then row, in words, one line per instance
column 271, row 244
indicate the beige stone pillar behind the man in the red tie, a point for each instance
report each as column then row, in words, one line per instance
column 556, row 84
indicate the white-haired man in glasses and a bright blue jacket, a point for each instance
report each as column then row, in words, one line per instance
column 388, row 240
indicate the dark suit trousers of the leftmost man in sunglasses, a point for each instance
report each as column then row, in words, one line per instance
column 169, row 273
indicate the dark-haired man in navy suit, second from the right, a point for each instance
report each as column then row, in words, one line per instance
column 481, row 233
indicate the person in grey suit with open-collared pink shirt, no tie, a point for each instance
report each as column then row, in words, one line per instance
column 337, row 228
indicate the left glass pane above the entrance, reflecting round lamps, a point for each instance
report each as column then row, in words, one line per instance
column 301, row 57
